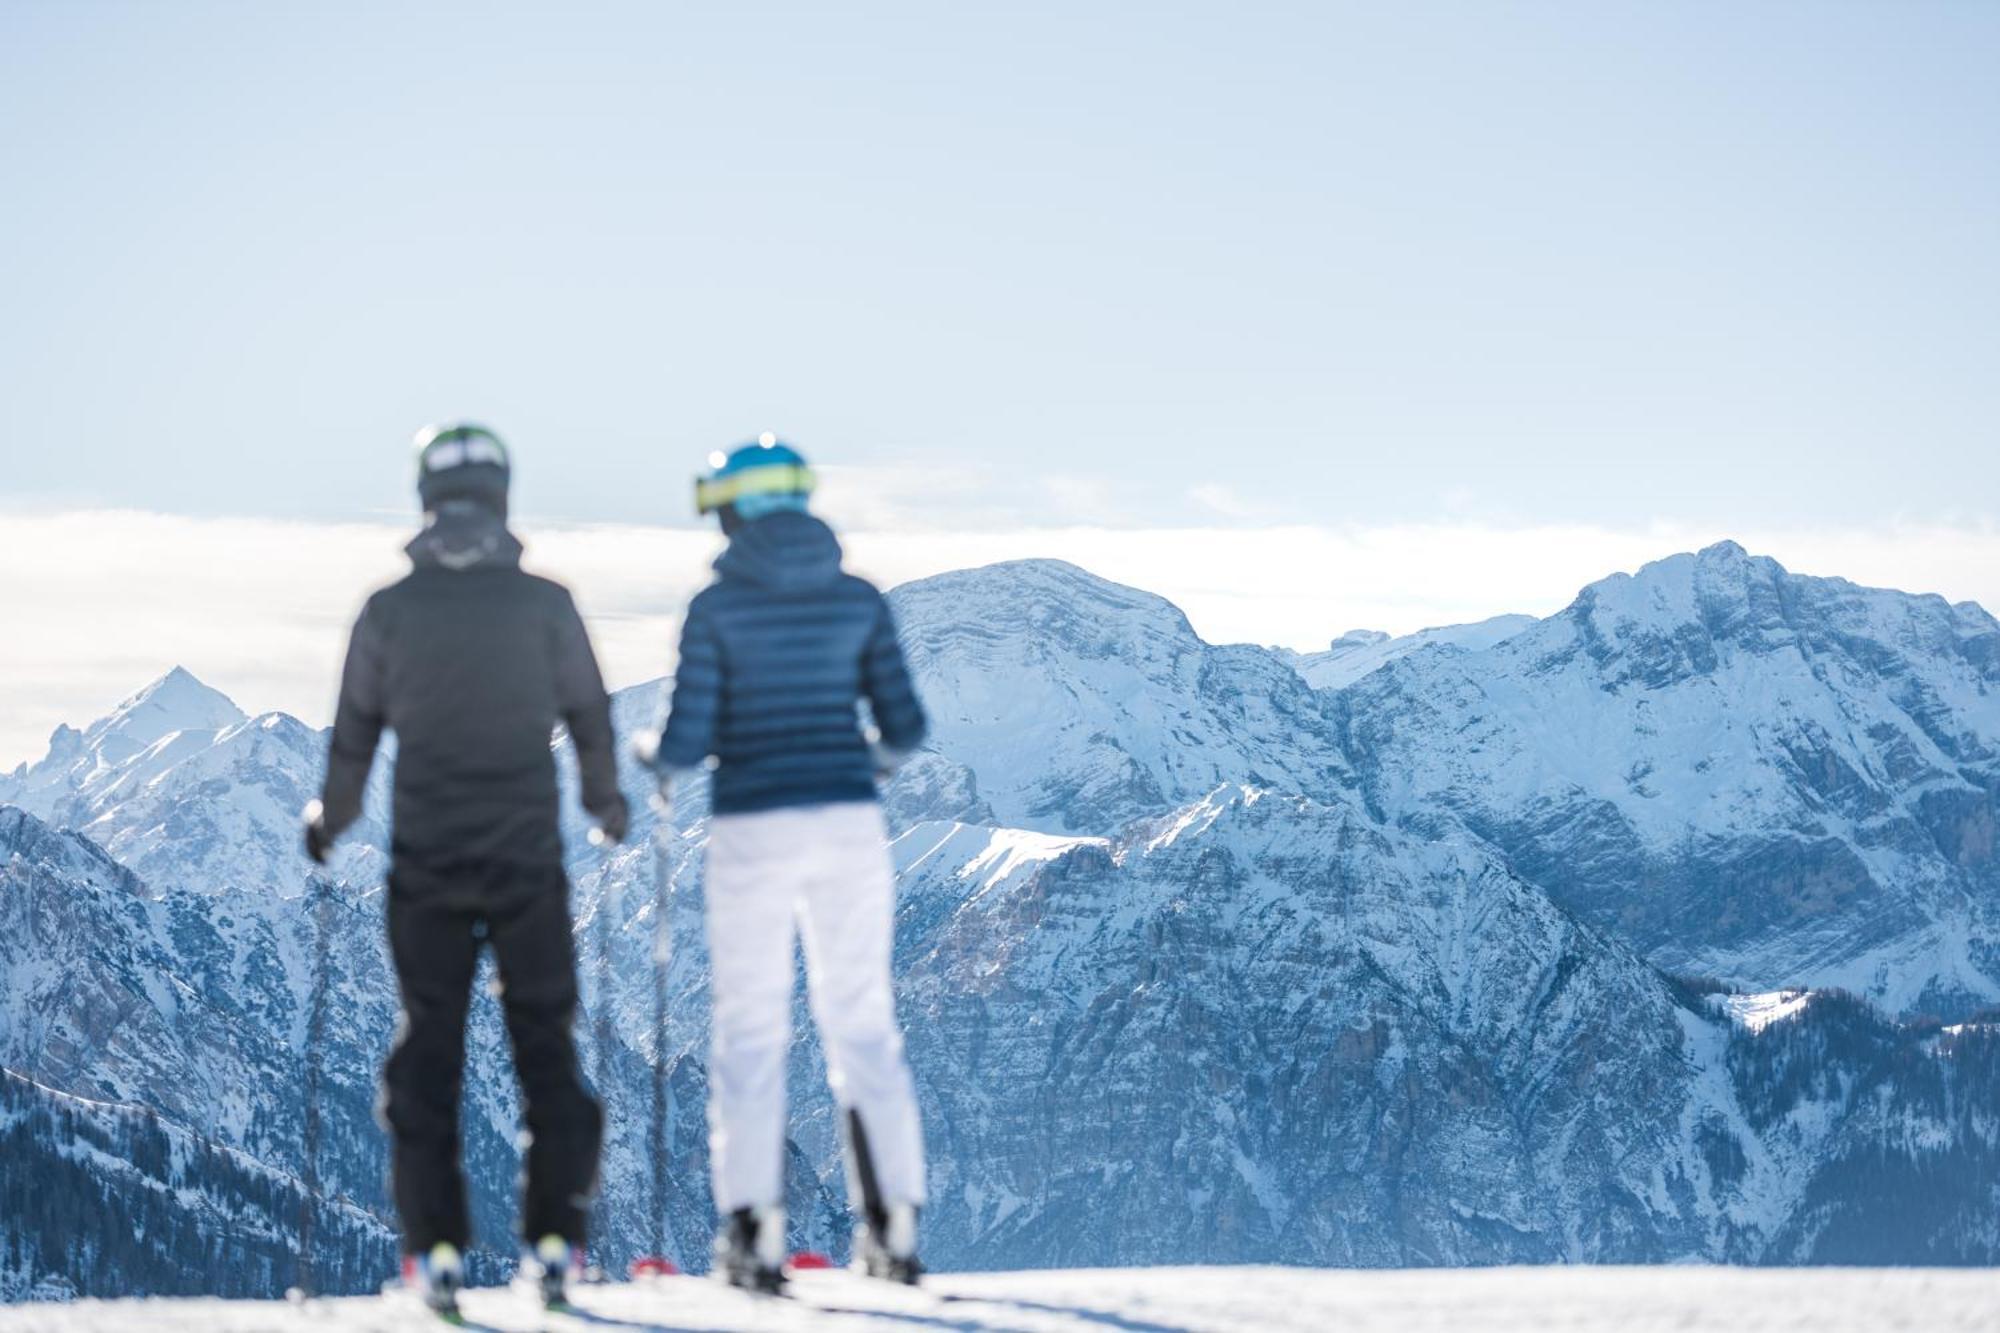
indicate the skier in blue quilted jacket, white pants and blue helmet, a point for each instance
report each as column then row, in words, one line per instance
column 777, row 659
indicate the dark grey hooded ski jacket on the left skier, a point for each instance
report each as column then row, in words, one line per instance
column 471, row 663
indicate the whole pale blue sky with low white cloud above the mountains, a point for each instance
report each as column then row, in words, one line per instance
column 1311, row 317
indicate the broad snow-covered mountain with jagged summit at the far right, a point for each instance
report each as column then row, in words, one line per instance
column 1743, row 772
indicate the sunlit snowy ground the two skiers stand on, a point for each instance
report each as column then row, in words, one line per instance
column 1581, row 1300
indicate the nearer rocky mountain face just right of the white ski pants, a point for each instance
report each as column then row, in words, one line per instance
column 1291, row 1018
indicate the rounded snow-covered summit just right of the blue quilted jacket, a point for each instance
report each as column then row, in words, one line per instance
column 1079, row 706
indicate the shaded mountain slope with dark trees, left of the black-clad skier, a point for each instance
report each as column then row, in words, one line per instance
column 151, row 1082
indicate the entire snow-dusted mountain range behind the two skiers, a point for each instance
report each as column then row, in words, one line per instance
column 1197, row 962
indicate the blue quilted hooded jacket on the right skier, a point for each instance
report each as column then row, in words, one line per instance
column 775, row 659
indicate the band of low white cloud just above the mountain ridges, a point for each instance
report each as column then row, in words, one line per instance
column 97, row 605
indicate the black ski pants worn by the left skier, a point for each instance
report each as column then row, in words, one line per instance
column 439, row 920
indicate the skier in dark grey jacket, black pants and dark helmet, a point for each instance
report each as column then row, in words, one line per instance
column 473, row 663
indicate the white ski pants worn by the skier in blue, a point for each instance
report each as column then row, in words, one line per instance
column 821, row 874
